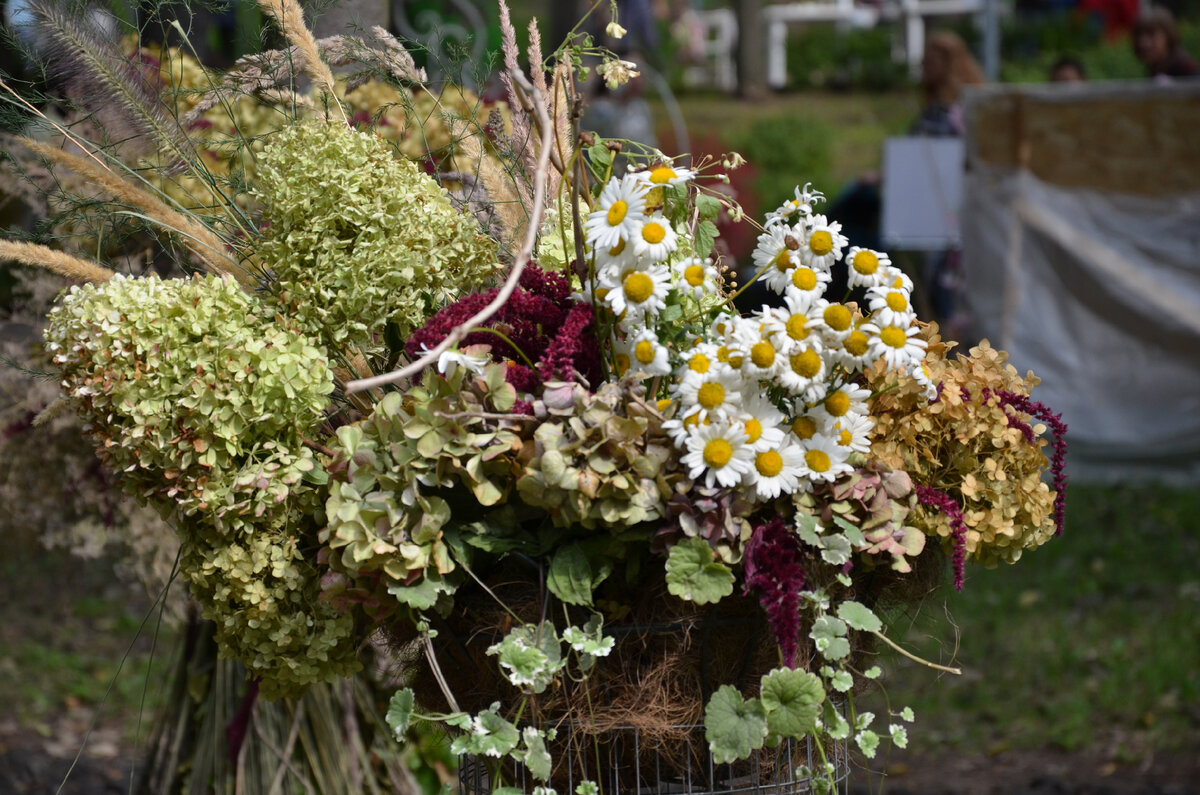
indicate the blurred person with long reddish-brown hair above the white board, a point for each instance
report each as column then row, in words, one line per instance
column 945, row 69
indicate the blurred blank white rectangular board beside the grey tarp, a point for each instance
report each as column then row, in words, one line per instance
column 922, row 193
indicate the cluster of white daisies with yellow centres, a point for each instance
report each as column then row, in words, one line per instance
column 770, row 403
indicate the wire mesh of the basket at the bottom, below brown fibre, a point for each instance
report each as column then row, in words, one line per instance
column 621, row 764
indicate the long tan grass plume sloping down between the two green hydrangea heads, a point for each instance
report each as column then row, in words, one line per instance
column 201, row 241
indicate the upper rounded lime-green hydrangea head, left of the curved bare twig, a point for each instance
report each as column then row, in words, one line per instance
column 358, row 238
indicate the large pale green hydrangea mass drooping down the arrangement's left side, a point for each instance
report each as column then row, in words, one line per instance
column 202, row 408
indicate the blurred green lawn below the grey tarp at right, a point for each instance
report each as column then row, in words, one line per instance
column 1094, row 639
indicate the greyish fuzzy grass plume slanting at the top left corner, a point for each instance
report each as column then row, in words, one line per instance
column 112, row 86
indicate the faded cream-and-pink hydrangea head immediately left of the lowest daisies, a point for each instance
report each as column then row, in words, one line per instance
column 603, row 461
